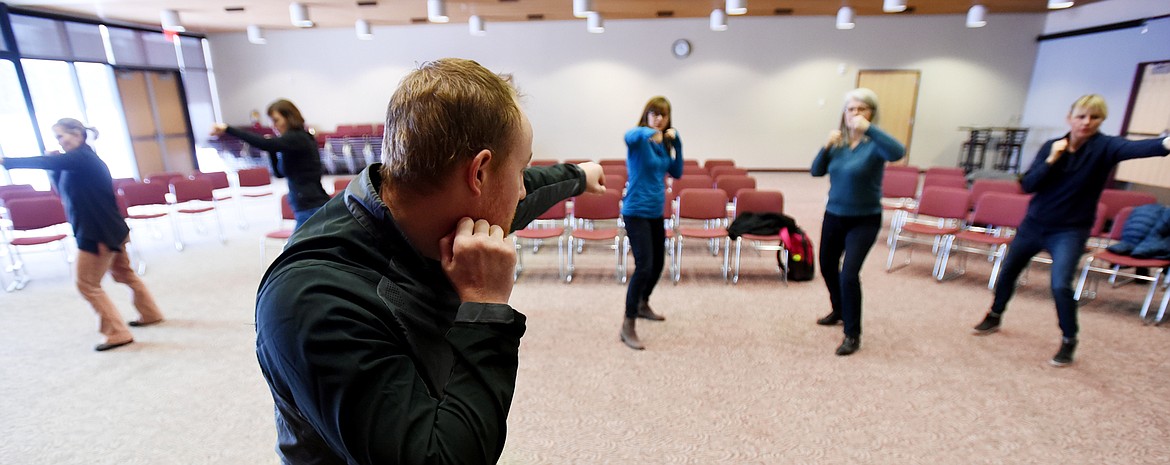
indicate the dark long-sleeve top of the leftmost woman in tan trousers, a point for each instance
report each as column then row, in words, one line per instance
column 87, row 192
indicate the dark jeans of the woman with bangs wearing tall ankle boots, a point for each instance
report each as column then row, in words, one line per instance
column 648, row 242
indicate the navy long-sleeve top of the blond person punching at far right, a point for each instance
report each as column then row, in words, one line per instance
column 1068, row 192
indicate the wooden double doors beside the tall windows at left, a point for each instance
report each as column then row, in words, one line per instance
column 157, row 121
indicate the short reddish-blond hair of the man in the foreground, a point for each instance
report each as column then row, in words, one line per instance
column 444, row 114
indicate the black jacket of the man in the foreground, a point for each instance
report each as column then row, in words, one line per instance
column 370, row 354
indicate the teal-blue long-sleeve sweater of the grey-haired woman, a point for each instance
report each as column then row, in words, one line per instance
column 856, row 174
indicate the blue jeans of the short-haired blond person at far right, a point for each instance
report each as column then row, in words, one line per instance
column 1066, row 247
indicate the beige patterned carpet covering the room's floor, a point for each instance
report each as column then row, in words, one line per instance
column 737, row 374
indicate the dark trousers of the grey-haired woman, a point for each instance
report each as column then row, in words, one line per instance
column 852, row 237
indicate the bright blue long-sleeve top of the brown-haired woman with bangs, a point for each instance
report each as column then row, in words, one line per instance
column 648, row 163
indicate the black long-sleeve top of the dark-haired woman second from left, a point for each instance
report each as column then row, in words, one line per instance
column 294, row 155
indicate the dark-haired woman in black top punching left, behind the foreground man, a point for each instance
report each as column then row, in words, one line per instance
column 294, row 156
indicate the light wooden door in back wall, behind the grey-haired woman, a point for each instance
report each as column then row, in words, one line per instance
column 898, row 98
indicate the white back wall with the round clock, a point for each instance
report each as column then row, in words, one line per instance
column 766, row 93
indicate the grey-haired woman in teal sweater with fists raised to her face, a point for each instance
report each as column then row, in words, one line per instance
column 855, row 159
